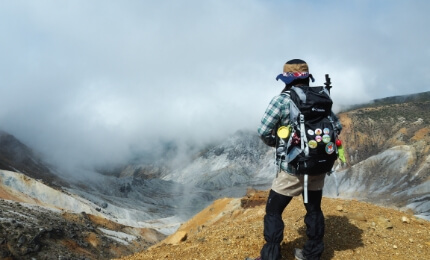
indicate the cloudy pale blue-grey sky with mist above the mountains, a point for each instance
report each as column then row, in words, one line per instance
column 88, row 80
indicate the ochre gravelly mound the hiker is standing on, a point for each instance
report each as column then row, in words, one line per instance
column 232, row 229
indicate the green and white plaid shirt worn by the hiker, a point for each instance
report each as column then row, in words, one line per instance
column 276, row 115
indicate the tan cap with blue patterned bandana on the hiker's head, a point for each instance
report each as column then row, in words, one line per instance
column 295, row 69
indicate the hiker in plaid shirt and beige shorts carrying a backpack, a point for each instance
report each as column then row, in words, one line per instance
column 289, row 182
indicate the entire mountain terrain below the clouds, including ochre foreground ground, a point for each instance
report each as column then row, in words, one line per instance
column 127, row 209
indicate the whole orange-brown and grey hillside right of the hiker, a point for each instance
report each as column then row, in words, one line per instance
column 387, row 145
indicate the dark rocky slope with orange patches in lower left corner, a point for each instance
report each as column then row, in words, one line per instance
column 32, row 232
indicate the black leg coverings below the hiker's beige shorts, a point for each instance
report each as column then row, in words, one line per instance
column 274, row 226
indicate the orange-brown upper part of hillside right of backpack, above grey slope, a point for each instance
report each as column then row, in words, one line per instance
column 371, row 130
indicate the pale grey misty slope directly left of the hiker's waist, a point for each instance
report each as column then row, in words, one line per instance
column 240, row 161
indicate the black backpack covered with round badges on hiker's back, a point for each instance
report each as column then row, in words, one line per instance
column 311, row 148
